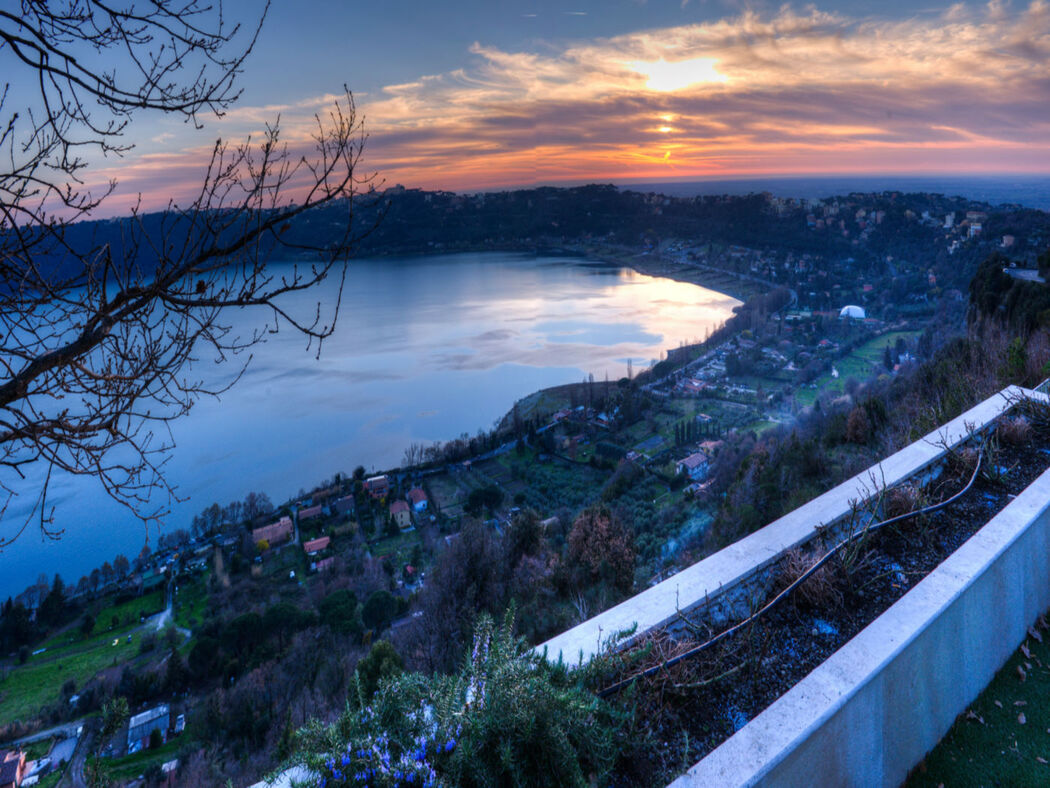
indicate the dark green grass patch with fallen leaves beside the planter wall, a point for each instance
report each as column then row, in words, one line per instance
column 1004, row 738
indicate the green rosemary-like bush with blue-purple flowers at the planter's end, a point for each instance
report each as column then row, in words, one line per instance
column 507, row 718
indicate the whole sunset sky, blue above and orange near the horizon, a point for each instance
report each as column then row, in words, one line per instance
column 472, row 95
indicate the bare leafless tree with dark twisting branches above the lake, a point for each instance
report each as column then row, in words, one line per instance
column 99, row 334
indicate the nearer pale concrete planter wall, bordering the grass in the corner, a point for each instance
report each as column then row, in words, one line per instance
column 874, row 710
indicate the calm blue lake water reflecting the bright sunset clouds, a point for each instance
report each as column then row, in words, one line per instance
column 426, row 349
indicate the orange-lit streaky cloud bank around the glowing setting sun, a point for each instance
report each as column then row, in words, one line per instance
column 811, row 91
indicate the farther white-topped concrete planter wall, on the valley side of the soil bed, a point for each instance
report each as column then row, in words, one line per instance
column 724, row 584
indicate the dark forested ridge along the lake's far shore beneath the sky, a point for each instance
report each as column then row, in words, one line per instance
column 865, row 229
